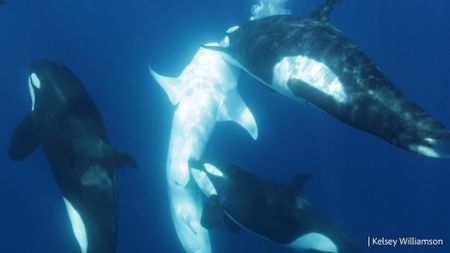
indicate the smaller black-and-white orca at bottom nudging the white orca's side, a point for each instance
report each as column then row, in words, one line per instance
column 277, row 212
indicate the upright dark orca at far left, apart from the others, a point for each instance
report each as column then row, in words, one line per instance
column 66, row 122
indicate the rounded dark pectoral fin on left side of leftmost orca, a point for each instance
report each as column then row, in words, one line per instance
column 24, row 140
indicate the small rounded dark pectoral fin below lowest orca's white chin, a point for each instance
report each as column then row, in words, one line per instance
column 212, row 214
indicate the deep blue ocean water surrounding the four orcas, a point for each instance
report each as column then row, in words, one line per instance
column 366, row 186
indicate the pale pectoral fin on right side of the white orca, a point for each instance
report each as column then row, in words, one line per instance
column 234, row 109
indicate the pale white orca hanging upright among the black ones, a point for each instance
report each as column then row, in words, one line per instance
column 205, row 93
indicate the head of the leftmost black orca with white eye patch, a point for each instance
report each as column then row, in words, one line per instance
column 50, row 84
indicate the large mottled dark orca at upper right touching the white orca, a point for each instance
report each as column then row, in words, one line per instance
column 308, row 59
